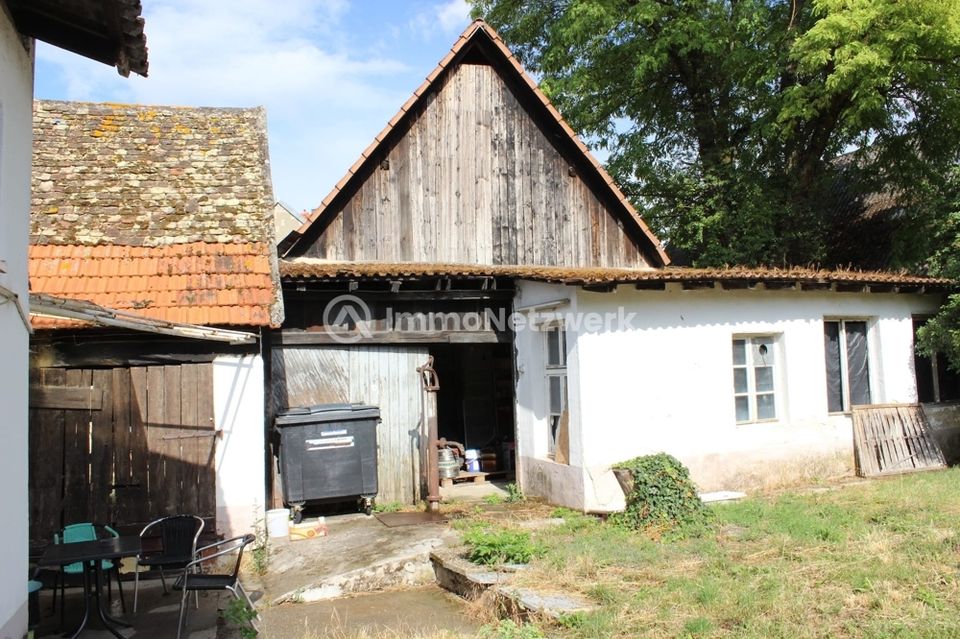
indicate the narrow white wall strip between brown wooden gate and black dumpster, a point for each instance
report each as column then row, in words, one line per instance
column 238, row 394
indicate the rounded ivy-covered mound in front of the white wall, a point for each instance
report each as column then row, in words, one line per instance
column 663, row 498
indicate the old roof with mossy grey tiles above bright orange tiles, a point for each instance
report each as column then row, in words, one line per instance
column 165, row 211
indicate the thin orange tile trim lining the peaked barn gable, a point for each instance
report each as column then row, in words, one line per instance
column 468, row 34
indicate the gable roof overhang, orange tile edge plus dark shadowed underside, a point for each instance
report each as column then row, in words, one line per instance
column 478, row 39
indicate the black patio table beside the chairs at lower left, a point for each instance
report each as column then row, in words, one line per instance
column 91, row 554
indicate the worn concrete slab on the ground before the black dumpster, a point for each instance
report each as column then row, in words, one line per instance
column 358, row 554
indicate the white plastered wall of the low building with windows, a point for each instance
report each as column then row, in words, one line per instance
column 663, row 381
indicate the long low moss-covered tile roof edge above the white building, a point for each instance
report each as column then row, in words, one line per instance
column 305, row 269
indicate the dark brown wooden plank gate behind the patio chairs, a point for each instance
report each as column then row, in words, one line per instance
column 120, row 445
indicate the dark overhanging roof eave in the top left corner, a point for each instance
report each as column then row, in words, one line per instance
column 109, row 31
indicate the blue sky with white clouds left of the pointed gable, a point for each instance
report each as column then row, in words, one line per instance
column 325, row 99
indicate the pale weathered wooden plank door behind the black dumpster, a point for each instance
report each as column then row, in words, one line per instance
column 383, row 376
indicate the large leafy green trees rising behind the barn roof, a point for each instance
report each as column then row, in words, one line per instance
column 755, row 131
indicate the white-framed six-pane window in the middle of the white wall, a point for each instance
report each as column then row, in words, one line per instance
column 754, row 386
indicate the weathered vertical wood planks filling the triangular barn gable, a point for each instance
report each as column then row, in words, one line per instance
column 475, row 181
